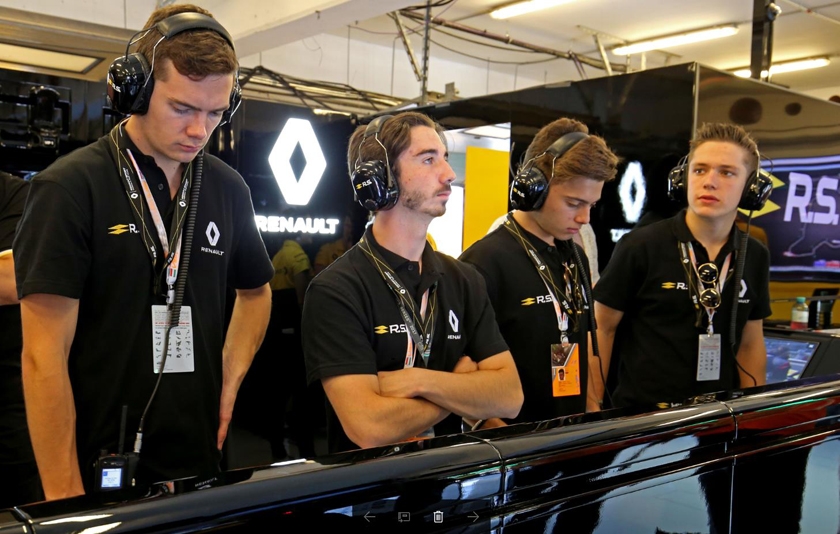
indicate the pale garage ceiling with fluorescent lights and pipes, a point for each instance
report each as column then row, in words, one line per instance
column 806, row 28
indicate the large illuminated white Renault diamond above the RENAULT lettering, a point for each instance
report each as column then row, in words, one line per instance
column 297, row 191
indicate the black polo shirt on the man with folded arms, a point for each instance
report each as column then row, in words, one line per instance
column 352, row 324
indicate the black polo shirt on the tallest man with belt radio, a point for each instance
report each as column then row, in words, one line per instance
column 78, row 238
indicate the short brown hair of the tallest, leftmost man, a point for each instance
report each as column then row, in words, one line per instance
column 194, row 53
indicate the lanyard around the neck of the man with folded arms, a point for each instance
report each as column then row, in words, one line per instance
column 421, row 334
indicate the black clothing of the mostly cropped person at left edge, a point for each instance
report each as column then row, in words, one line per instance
column 14, row 436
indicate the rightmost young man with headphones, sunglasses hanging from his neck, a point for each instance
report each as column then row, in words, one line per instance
column 664, row 305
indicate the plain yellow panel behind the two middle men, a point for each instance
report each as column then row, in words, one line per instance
column 485, row 191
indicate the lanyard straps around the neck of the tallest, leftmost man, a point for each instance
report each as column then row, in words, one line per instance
column 137, row 190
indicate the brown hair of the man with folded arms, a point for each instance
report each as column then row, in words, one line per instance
column 395, row 136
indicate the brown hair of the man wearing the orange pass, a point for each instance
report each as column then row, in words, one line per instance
column 590, row 158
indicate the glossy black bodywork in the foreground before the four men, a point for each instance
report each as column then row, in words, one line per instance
column 764, row 460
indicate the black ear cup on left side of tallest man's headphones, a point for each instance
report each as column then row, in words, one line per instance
column 129, row 85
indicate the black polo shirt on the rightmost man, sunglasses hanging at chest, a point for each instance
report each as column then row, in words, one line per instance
column 656, row 341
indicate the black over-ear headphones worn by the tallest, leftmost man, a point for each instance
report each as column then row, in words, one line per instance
column 130, row 80
